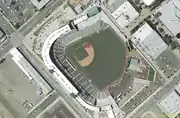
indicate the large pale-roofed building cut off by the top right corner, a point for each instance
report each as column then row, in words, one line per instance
column 170, row 15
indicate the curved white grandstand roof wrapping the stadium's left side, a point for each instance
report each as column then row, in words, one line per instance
column 61, row 78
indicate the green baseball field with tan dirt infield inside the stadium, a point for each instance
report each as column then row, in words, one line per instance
column 101, row 57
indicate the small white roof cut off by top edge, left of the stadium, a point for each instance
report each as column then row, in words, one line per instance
column 39, row 3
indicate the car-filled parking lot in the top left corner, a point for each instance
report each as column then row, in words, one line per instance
column 17, row 11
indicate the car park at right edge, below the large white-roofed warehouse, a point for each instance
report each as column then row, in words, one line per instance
column 168, row 63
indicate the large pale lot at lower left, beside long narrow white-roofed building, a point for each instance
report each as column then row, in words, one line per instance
column 16, row 90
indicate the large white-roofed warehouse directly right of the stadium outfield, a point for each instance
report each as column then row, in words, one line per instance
column 149, row 41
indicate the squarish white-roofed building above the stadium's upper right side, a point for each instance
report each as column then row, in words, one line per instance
column 125, row 14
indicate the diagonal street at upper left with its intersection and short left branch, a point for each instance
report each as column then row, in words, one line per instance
column 26, row 27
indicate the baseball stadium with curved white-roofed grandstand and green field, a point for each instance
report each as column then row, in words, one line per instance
column 87, row 61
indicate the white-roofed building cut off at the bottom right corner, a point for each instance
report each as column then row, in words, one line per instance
column 170, row 104
